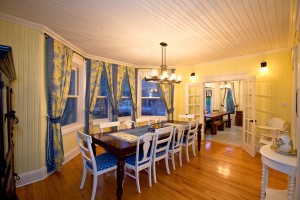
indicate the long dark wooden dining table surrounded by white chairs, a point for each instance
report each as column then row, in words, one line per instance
column 121, row 148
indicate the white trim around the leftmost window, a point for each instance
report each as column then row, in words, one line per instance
column 79, row 63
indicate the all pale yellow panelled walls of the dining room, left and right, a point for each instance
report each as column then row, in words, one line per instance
column 30, row 95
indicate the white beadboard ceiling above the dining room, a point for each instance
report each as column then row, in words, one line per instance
column 130, row 31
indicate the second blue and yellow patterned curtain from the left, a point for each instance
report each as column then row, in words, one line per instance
column 94, row 71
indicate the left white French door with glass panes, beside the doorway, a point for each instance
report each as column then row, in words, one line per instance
column 193, row 100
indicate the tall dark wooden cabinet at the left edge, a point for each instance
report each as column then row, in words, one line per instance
column 7, row 120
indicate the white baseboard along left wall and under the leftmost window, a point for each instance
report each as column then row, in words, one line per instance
column 40, row 174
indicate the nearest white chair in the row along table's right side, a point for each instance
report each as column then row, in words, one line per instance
column 141, row 160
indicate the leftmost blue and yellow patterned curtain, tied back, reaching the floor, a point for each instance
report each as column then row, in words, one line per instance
column 59, row 60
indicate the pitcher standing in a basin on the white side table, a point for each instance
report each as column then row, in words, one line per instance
column 284, row 144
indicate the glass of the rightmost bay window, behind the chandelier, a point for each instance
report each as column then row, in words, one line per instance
column 151, row 103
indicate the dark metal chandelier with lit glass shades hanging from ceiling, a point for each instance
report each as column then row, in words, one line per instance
column 163, row 77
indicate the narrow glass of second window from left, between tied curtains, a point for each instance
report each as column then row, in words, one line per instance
column 101, row 106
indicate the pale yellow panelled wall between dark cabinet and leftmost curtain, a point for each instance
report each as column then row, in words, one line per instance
column 28, row 54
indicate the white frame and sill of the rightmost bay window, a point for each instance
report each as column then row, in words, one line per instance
column 141, row 74
